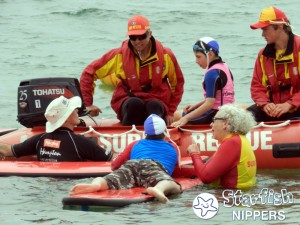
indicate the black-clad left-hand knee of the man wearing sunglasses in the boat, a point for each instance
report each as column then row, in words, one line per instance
column 133, row 112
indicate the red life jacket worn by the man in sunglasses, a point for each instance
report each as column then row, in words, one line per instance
column 143, row 79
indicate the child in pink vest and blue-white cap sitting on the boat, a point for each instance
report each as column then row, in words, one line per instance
column 218, row 85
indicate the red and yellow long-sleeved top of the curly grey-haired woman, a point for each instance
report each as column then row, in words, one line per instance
column 233, row 165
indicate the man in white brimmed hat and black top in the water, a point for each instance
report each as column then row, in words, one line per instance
column 59, row 143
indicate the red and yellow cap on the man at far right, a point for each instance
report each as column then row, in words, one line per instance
column 270, row 16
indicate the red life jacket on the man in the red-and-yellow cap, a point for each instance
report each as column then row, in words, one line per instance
column 282, row 89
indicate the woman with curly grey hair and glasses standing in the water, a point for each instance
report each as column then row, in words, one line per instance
column 234, row 163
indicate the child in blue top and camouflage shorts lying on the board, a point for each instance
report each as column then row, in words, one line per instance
column 145, row 163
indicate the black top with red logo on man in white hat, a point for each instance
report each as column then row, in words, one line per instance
column 62, row 145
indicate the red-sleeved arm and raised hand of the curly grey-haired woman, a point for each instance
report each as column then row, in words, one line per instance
column 226, row 157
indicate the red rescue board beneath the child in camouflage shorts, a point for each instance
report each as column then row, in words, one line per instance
column 118, row 198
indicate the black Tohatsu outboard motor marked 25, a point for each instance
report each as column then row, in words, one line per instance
column 35, row 95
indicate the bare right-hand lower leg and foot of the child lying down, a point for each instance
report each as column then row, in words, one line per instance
column 163, row 188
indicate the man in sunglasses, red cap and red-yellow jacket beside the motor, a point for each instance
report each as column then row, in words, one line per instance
column 150, row 78
